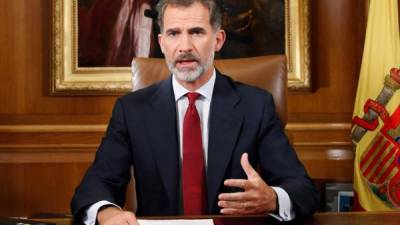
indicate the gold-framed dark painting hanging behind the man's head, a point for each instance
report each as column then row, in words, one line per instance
column 90, row 39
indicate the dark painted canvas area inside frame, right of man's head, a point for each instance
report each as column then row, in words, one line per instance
column 253, row 27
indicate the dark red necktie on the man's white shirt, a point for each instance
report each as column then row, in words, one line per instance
column 193, row 170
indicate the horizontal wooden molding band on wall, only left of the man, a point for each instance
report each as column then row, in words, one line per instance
column 49, row 143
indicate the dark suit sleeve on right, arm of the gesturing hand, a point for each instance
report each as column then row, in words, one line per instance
column 280, row 166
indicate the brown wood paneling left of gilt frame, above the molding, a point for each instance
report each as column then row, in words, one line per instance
column 25, row 71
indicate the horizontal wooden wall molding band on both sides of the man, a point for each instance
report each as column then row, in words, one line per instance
column 66, row 145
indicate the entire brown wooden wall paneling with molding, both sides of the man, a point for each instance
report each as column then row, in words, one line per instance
column 46, row 143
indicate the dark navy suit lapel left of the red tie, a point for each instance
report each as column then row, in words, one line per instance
column 162, row 128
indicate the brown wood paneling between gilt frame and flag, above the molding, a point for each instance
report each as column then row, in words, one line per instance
column 337, row 34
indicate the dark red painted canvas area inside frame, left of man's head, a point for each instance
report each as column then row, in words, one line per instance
column 112, row 32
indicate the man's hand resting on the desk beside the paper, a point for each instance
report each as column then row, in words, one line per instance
column 115, row 216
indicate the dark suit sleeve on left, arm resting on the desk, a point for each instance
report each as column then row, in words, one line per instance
column 108, row 176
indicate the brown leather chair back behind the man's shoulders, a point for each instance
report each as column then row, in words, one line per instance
column 266, row 72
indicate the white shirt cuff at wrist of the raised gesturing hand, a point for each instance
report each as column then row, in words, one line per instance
column 285, row 208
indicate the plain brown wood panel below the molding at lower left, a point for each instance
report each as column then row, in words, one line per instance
column 30, row 188
